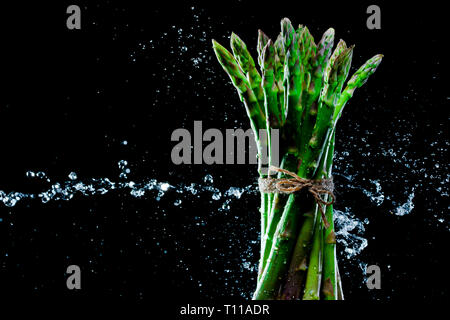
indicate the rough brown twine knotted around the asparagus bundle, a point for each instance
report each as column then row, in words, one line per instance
column 290, row 185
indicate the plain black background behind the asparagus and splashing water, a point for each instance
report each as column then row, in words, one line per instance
column 70, row 97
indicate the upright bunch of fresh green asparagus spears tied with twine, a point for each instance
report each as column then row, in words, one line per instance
column 301, row 91
